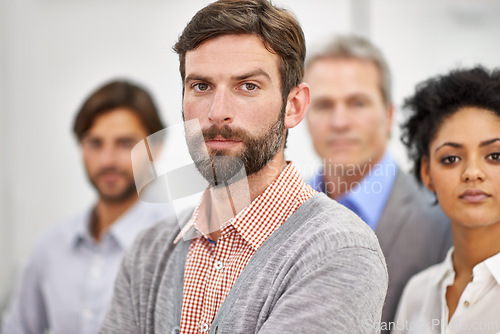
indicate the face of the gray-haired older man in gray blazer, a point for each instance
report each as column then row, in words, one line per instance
column 348, row 120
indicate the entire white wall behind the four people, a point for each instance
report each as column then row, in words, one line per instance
column 56, row 51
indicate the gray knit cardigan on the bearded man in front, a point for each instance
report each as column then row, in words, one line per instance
column 322, row 271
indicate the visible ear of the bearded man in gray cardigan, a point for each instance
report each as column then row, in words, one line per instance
column 297, row 103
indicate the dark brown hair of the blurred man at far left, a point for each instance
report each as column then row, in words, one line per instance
column 118, row 94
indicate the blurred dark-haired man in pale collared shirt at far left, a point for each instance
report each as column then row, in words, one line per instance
column 67, row 283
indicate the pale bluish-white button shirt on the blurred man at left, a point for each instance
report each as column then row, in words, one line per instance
column 68, row 281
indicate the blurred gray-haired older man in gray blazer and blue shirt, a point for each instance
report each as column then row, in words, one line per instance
column 350, row 122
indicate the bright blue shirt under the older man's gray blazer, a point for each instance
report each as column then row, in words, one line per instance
column 368, row 198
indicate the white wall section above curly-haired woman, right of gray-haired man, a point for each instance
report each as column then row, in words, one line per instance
column 427, row 37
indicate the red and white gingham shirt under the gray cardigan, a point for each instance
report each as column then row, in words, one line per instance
column 211, row 269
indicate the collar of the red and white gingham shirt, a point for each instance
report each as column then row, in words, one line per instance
column 280, row 193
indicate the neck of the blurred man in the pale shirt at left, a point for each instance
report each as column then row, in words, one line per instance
column 106, row 213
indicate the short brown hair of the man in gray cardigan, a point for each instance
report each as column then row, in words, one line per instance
column 278, row 29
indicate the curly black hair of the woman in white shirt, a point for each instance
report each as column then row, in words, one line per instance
column 440, row 97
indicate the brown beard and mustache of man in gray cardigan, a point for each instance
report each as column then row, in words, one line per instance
column 222, row 169
